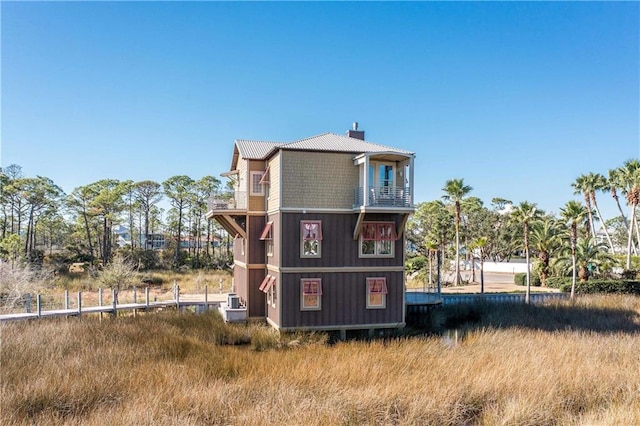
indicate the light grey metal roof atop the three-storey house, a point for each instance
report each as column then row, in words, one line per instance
column 329, row 142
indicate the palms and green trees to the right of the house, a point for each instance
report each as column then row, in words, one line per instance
column 441, row 231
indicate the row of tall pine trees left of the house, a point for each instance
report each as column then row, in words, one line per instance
column 38, row 218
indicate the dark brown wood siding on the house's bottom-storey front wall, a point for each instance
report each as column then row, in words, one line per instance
column 344, row 298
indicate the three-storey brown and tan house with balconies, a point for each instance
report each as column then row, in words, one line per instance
column 319, row 231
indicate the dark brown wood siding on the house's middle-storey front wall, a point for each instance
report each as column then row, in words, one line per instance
column 338, row 246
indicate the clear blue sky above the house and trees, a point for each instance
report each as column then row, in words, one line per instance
column 516, row 98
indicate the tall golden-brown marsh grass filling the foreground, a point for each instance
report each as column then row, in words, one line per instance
column 193, row 370
